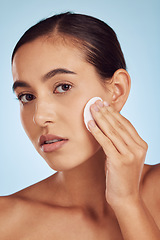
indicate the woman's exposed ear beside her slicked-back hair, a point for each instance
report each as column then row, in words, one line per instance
column 121, row 84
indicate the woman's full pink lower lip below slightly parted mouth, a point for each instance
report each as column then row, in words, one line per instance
column 51, row 147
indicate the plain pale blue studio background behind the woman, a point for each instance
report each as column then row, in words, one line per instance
column 137, row 26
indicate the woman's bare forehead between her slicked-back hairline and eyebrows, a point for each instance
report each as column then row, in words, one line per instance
column 39, row 57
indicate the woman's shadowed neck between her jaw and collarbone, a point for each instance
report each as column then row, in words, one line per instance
column 84, row 186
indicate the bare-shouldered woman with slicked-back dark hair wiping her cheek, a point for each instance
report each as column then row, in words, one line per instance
column 102, row 189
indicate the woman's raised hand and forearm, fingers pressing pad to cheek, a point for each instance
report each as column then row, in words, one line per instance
column 125, row 155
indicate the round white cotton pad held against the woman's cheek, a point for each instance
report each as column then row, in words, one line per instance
column 87, row 113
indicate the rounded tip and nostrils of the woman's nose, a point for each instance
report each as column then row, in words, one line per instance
column 43, row 114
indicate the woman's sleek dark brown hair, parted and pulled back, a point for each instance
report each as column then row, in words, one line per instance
column 102, row 48
